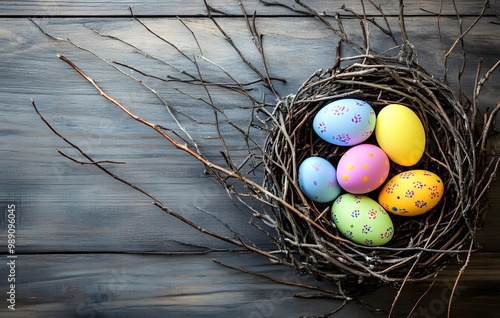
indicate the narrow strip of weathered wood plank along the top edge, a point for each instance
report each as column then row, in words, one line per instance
column 193, row 8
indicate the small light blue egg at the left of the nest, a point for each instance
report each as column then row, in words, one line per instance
column 318, row 180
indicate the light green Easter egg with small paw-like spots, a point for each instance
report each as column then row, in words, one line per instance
column 362, row 220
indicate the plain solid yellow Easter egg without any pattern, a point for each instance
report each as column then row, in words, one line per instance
column 400, row 133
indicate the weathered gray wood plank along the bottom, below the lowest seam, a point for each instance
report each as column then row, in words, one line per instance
column 114, row 285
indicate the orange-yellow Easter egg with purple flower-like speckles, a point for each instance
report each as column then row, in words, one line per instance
column 411, row 193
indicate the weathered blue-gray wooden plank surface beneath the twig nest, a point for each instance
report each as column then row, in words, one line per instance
column 88, row 246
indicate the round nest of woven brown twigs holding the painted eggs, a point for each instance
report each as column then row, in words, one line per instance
column 420, row 245
